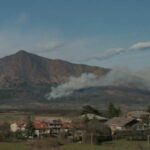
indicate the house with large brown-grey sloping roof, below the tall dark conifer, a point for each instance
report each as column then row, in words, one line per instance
column 120, row 123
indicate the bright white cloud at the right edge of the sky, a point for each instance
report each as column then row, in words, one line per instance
column 141, row 46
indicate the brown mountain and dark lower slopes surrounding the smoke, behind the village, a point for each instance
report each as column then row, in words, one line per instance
column 26, row 78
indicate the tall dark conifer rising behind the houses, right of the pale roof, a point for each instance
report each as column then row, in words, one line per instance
column 113, row 111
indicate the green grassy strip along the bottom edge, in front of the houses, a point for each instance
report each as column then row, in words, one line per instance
column 115, row 145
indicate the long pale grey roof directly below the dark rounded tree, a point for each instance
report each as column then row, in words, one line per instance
column 90, row 116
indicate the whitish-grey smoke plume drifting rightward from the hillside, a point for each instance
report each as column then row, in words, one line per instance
column 113, row 78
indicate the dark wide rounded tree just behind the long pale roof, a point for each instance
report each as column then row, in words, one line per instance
column 89, row 109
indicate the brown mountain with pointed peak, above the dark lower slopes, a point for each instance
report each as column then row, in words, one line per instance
column 30, row 68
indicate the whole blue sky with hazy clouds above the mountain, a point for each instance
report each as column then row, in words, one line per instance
column 108, row 33
